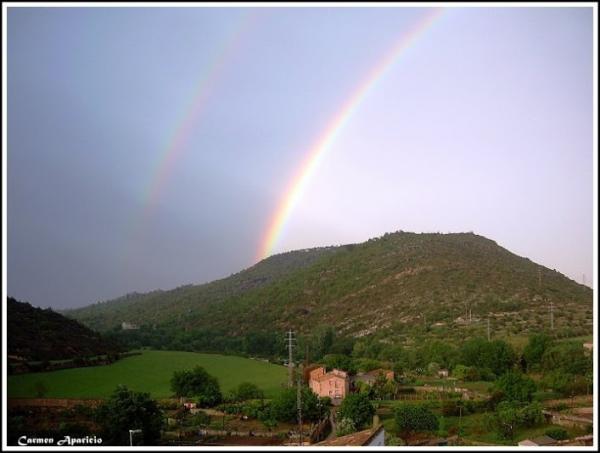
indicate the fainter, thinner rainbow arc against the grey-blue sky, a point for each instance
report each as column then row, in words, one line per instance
column 205, row 86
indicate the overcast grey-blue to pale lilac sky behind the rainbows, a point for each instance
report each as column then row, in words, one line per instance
column 483, row 124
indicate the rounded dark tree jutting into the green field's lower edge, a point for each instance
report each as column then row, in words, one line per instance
column 197, row 383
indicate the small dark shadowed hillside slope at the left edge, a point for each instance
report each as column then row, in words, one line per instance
column 38, row 334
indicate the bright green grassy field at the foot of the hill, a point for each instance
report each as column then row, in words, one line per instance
column 149, row 372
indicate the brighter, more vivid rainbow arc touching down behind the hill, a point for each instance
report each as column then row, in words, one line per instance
column 299, row 182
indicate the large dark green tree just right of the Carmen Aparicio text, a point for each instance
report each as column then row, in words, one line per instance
column 126, row 410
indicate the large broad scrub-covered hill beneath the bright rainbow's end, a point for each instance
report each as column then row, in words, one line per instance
column 396, row 286
